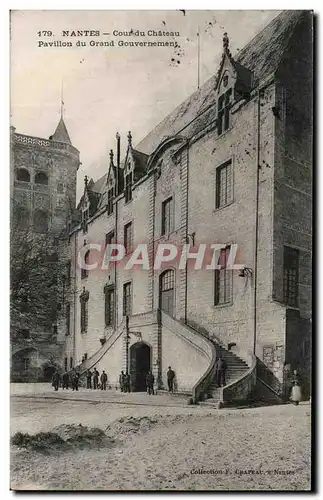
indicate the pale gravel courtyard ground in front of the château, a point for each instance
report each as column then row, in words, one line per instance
column 160, row 443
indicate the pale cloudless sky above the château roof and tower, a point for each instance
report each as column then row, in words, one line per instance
column 108, row 89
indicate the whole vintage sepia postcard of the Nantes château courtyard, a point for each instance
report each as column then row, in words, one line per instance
column 161, row 242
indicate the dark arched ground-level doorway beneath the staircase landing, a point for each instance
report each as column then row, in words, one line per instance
column 140, row 365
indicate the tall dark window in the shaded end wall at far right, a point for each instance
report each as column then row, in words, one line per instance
column 291, row 266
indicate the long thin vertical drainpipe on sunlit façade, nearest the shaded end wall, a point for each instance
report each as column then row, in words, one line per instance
column 256, row 224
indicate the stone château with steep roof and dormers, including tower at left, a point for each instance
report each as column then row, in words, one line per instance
column 231, row 165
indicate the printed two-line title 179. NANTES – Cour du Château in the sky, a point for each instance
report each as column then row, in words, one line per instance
column 48, row 38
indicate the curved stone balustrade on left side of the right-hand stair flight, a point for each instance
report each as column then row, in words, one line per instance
column 201, row 343
